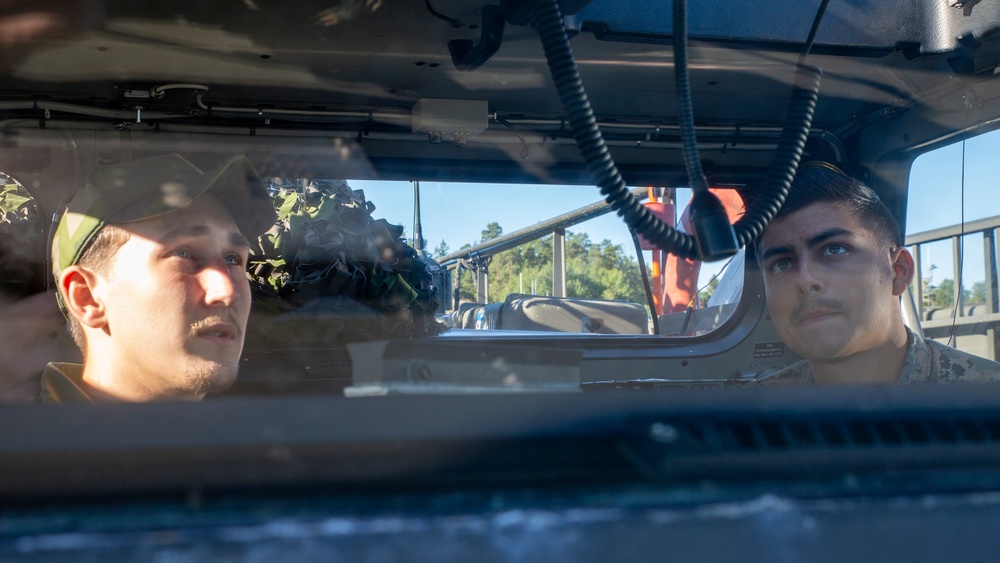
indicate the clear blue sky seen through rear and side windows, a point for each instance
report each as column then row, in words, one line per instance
column 458, row 212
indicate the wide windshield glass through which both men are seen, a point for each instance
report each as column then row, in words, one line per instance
column 413, row 198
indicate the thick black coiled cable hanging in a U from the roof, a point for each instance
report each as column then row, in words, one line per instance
column 548, row 23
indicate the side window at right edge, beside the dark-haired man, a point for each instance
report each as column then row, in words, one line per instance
column 951, row 228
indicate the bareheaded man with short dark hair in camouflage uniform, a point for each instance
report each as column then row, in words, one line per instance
column 834, row 268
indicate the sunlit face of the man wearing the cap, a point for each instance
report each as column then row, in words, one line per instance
column 178, row 300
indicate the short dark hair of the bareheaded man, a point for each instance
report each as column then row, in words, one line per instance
column 820, row 182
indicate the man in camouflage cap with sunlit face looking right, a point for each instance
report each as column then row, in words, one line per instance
column 149, row 260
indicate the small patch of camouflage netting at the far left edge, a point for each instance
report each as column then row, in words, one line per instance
column 21, row 241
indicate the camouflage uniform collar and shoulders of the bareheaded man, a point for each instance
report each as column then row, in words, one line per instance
column 927, row 361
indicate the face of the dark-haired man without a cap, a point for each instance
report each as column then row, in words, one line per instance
column 831, row 286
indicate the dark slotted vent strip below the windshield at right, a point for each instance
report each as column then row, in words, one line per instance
column 755, row 445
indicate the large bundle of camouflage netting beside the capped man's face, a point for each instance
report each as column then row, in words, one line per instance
column 329, row 274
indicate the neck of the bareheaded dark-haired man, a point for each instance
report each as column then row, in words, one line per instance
column 879, row 365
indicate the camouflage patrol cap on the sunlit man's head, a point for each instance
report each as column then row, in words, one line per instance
column 150, row 187
